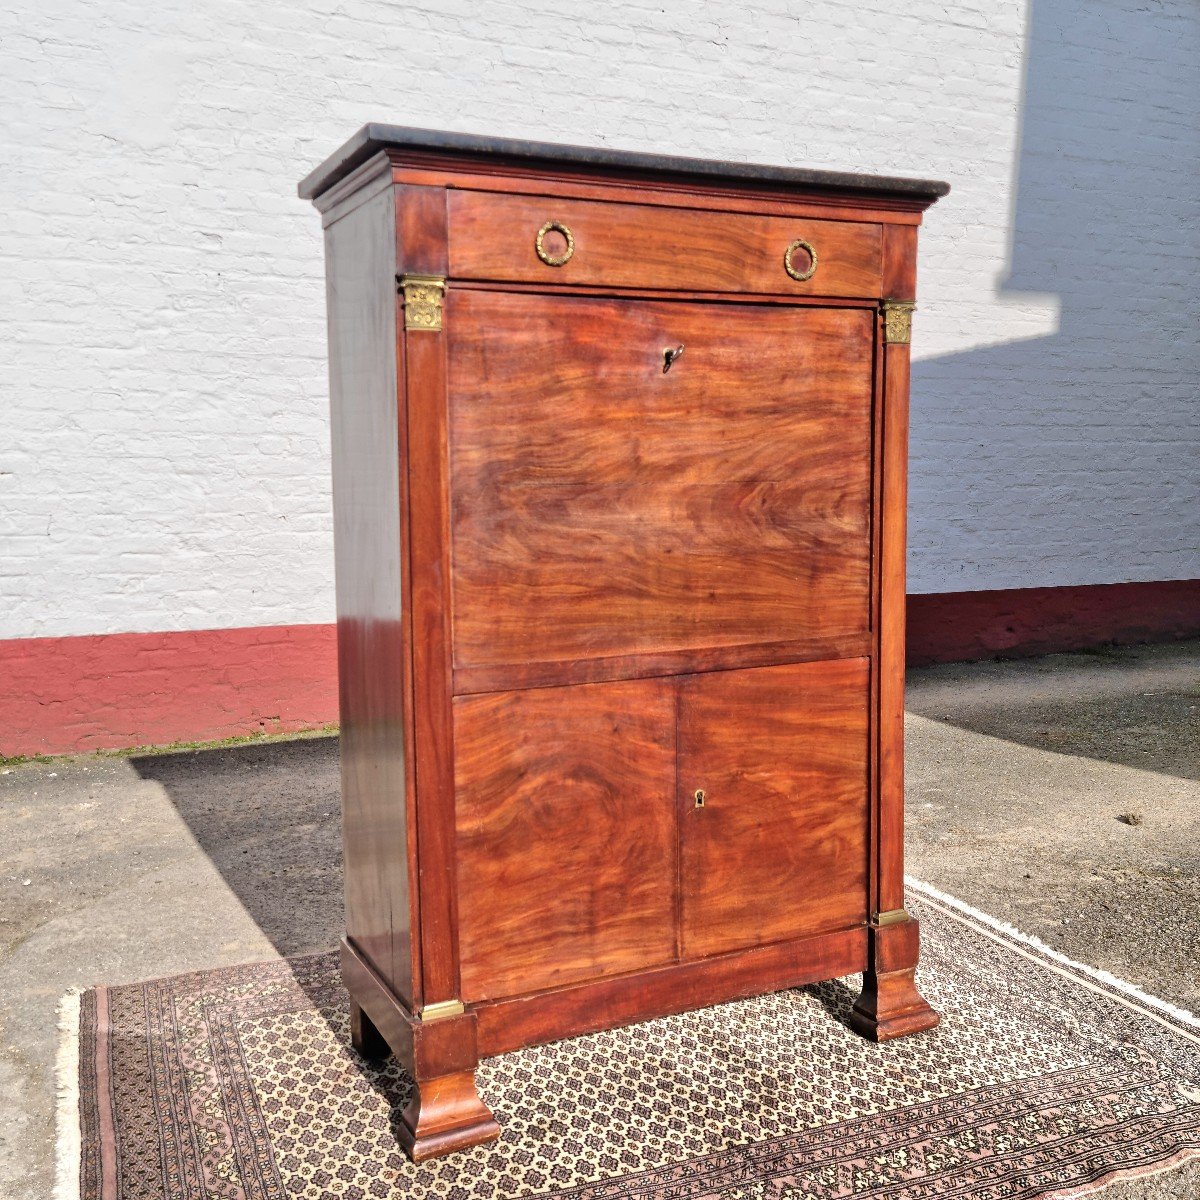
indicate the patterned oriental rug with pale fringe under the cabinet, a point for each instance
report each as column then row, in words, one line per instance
column 1046, row 1079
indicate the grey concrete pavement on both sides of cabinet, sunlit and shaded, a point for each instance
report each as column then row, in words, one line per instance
column 117, row 869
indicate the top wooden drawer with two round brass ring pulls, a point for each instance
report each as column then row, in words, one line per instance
column 496, row 237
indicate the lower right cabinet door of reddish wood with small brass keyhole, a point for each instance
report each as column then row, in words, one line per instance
column 779, row 847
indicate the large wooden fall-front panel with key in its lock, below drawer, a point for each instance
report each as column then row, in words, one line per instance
column 604, row 507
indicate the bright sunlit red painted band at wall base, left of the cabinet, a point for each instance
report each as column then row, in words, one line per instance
column 65, row 695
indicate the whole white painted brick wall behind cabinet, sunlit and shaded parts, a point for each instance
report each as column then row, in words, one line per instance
column 164, row 449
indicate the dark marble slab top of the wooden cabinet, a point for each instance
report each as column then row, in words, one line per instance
column 374, row 139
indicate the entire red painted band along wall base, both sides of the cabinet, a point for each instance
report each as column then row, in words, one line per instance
column 69, row 695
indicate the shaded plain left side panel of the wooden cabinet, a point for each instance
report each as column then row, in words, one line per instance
column 368, row 530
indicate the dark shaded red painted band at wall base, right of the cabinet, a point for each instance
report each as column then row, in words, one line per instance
column 964, row 627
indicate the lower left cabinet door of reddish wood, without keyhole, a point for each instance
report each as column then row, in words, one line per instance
column 567, row 835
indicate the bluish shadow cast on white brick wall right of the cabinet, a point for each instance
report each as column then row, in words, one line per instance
column 1075, row 459
